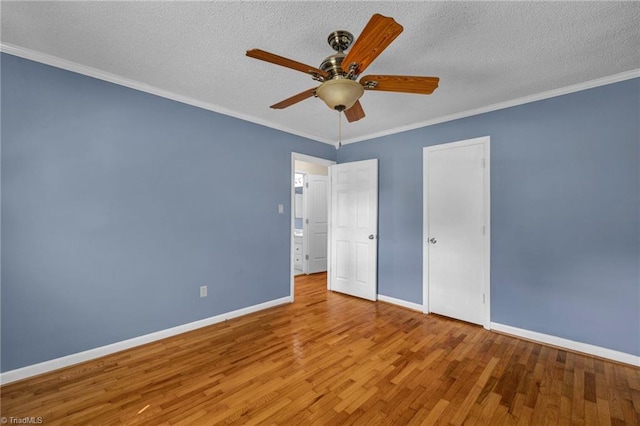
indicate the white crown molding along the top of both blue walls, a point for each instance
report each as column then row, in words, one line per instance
column 136, row 85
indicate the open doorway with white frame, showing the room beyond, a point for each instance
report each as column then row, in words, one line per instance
column 310, row 189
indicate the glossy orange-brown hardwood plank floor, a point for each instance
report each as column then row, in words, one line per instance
column 334, row 359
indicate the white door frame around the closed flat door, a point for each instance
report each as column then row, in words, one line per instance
column 485, row 141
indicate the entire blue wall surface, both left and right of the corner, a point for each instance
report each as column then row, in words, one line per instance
column 117, row 205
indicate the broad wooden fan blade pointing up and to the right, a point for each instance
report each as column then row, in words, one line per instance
column 379, row 32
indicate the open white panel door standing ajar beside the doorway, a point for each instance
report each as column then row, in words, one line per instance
column 354, row 228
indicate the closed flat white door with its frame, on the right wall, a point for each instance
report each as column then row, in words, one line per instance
column 456, row 230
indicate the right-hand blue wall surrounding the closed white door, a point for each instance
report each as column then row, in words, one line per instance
column 565, row 213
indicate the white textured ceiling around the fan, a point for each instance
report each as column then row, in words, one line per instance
column 485, row 53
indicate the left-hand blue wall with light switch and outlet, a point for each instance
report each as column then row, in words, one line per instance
column 118, row 205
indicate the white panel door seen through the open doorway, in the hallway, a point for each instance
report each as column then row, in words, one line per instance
column 316, row 222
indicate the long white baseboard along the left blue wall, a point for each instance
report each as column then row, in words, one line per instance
column 65, row 361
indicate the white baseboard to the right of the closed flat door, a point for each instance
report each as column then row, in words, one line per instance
column 568, row 344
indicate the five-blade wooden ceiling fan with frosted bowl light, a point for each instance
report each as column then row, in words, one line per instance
column 338, row 88
